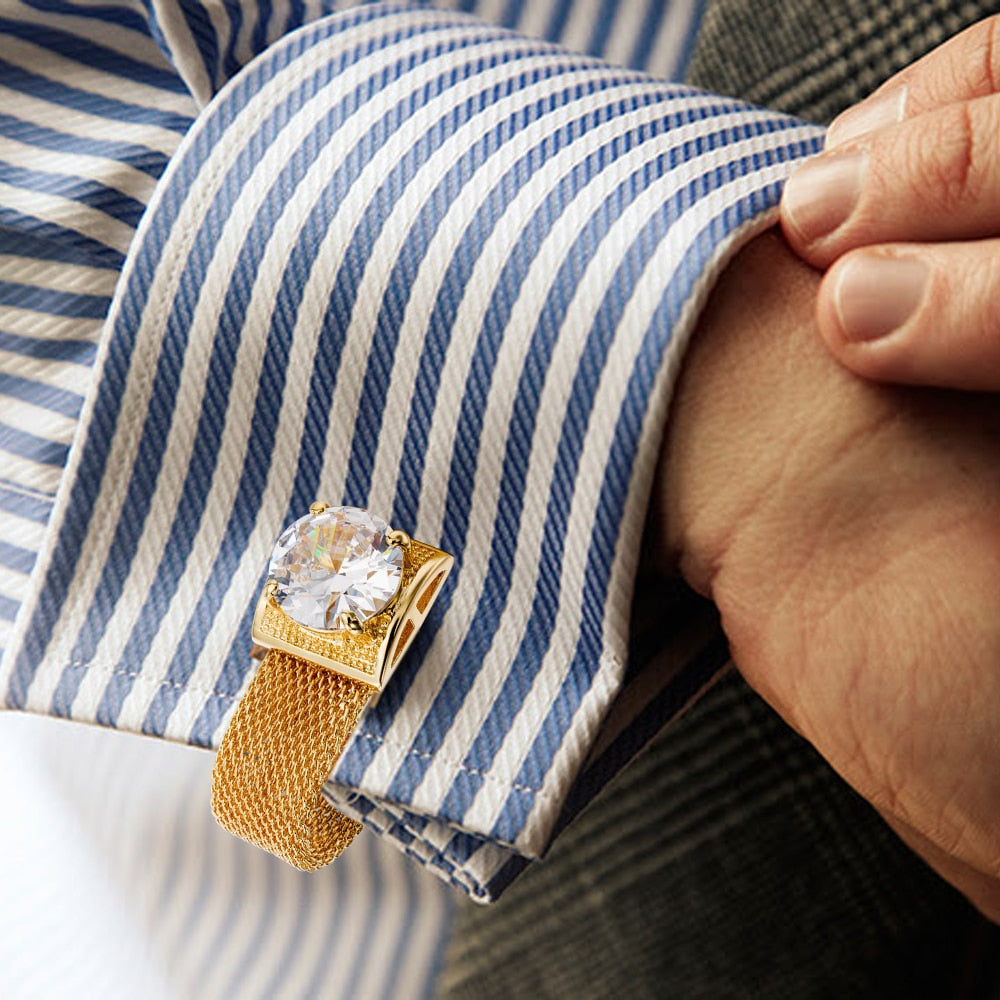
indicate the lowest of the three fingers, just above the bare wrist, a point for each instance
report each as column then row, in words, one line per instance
column 923, row 315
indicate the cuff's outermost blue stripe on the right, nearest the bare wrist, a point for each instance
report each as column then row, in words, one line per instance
column 614, row 494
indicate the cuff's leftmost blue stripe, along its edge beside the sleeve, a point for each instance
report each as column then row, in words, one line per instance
column 106, row 410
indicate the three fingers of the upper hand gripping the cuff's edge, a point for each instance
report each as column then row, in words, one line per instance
column 905, row 206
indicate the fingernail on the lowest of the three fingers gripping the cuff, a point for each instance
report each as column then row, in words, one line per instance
column 876, row 294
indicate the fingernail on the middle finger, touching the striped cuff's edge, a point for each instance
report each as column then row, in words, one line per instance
column 820, row 196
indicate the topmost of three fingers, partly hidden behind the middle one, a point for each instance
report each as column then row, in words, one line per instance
column 963, row 68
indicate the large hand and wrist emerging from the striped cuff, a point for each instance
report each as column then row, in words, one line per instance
column 849, row 533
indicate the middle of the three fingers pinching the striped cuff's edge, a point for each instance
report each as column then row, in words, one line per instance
column 934, row 178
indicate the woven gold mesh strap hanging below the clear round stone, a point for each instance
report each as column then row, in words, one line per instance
column 281, row 745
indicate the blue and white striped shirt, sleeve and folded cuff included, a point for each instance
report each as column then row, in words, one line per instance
column 397, row 257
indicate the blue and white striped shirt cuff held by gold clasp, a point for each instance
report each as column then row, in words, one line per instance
column 415, row 263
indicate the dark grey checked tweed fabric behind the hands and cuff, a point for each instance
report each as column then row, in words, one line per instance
column 730, row 861
